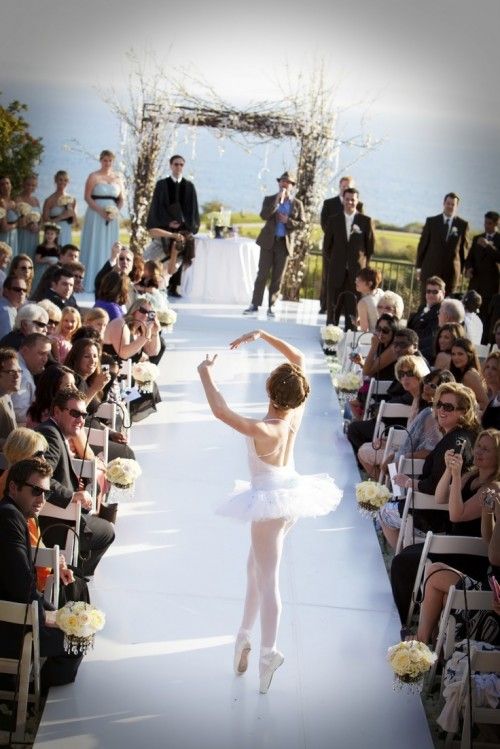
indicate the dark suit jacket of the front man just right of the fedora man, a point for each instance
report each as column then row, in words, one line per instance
column 352, row 252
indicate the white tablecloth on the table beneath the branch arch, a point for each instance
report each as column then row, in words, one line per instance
column 223, row 271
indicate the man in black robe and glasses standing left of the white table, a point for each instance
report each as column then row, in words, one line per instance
column 173, row 211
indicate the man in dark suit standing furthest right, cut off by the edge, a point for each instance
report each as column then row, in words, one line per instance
column 482, row 267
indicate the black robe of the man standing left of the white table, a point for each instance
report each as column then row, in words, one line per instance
column 164, row 207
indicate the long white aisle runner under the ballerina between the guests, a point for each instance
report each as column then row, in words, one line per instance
column 173, row 585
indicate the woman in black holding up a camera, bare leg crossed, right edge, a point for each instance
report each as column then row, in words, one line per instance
column 465, row 495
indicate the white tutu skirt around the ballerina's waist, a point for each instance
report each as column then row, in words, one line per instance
column 287, row 494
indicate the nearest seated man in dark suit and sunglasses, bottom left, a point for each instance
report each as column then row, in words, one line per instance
column 28, row 484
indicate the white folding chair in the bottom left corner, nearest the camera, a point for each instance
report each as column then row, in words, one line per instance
column 28, row 663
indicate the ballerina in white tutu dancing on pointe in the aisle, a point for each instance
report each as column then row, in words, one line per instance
column 276, row 497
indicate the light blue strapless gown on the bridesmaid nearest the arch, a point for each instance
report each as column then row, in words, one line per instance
column 98, row 236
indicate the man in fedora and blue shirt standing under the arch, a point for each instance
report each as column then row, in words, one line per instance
column 283, row 215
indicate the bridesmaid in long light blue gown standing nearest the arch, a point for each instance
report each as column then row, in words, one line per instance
column 104, row 194
